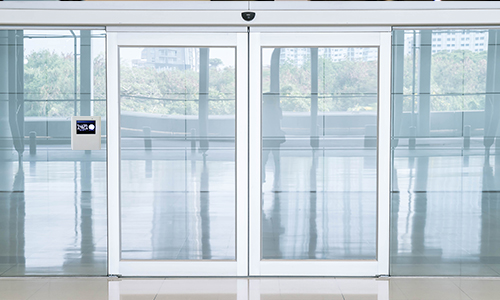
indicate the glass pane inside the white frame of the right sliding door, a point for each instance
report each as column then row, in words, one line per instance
column 319, row 153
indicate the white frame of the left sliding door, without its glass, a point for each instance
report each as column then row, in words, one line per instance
column 194, row 37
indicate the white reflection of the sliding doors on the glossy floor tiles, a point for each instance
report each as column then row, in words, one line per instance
column 253, row 288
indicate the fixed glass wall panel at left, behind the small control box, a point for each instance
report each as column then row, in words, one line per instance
column 52, row 199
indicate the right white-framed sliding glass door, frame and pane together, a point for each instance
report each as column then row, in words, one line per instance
column 321, row 201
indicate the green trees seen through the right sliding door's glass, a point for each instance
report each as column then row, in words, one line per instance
column 342, row 86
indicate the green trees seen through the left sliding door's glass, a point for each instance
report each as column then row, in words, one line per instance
column 176, row 92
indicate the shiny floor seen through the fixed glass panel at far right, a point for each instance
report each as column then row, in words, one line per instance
column 445, row 216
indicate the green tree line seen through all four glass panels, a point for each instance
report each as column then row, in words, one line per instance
column 458, row 82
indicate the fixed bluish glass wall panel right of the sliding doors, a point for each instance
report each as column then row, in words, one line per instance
column 445, row 214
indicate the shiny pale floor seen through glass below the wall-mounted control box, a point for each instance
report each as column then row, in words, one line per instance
column 58, row 225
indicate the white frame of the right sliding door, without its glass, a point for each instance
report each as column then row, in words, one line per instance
column 282, row 38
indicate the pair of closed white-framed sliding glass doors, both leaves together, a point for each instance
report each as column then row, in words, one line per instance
column 204, row 182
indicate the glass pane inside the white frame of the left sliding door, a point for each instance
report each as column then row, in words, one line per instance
column 178, row 153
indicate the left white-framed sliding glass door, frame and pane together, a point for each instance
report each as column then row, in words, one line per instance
column 181, row 199
